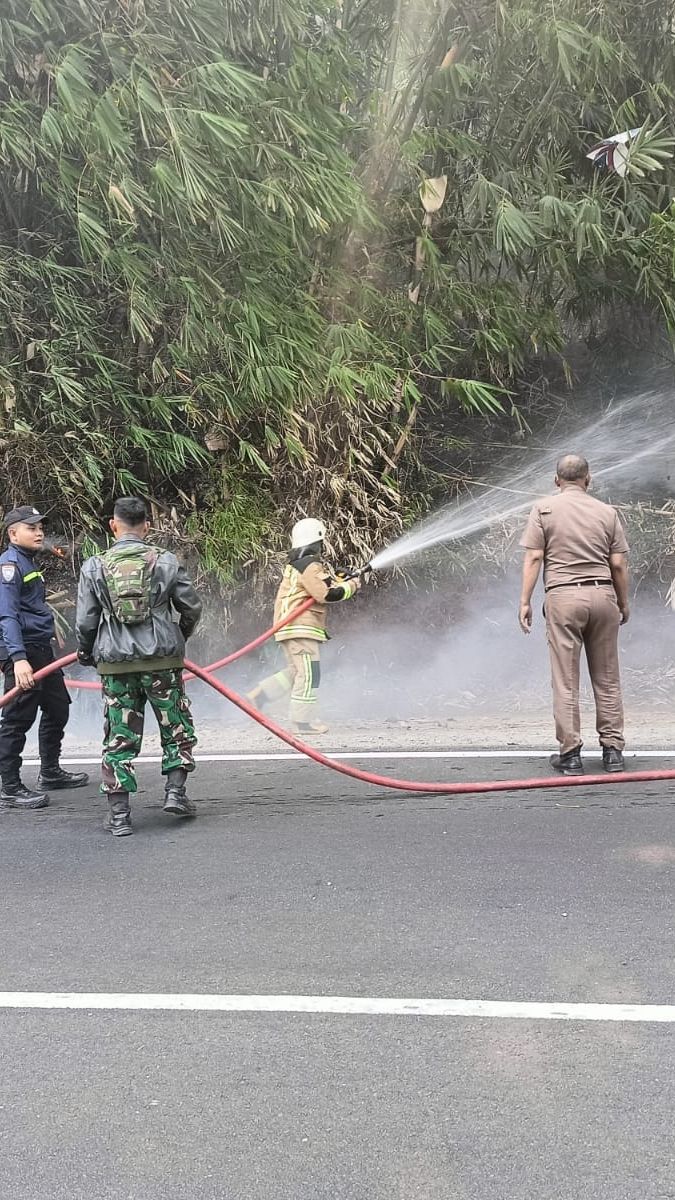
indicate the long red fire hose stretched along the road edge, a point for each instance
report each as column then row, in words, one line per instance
column 403, row 785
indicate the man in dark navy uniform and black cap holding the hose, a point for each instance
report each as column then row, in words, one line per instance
column 27, row 631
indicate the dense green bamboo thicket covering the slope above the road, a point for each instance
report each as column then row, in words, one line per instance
column 211, row 218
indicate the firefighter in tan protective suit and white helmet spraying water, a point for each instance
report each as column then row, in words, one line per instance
column 306, row 575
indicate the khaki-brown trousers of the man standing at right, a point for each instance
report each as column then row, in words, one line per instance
column 586, row 617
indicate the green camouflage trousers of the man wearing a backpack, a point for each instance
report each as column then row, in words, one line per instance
column 124, row 712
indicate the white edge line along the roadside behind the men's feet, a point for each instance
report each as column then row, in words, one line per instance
column 369, row 755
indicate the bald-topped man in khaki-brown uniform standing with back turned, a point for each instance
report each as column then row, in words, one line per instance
column 584, row 550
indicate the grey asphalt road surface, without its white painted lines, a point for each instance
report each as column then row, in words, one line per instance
column 296, row 881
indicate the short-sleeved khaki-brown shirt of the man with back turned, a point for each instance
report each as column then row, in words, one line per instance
column 577, row 533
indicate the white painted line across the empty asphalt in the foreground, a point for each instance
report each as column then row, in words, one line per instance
column 337, row 1006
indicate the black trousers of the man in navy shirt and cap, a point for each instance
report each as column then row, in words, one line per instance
column 49, row 695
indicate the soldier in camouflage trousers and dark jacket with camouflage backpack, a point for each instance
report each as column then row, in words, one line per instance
column 126, row 626
